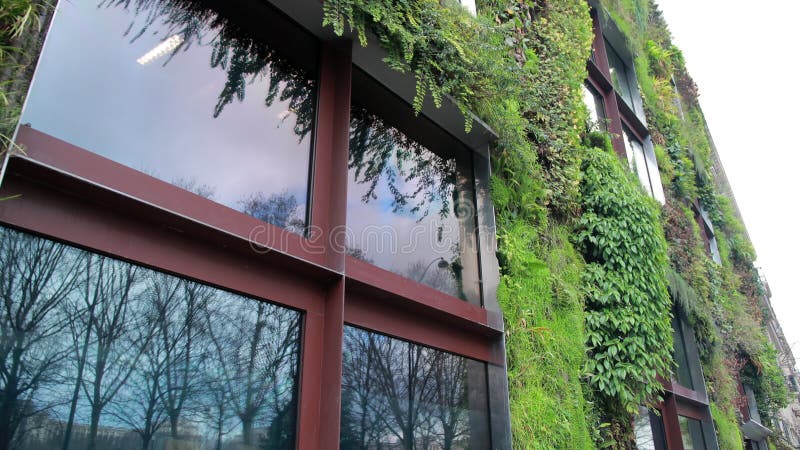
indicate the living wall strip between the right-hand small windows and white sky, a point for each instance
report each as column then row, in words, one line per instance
column 722, row 301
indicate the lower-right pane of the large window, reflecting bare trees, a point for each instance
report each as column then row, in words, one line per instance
column 401, row 395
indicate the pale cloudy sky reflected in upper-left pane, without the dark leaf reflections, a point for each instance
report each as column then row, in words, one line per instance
column 158, row 117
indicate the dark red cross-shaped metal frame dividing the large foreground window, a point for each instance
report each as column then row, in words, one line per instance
column 73, row 195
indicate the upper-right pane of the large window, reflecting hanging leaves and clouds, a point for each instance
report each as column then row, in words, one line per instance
column 410, row 210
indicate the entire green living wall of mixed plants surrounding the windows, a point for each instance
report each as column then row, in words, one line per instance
column 586, row 257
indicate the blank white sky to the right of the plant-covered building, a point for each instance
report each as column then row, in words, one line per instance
column 744, row 58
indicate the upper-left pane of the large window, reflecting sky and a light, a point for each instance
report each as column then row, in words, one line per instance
column 183, row 93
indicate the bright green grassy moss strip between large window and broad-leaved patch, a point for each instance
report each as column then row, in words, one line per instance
column 542, row 303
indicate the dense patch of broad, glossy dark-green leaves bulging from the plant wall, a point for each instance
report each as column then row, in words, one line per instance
column 628, row 327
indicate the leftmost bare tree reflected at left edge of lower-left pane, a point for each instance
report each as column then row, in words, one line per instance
column 35, row 277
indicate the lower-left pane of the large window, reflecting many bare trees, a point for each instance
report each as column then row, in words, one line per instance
column 96, row 353
